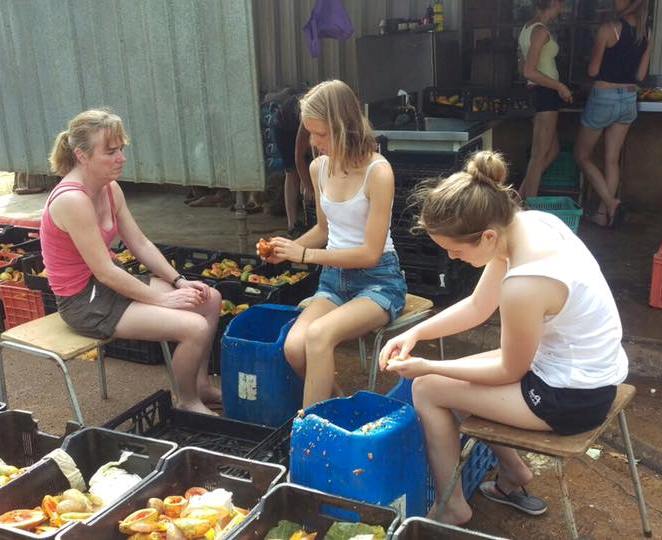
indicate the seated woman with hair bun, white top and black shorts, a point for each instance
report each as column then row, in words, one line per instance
column 561, row 355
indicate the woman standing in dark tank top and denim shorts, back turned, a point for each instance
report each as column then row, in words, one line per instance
column 619, row 61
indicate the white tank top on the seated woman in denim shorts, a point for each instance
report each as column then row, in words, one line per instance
column 347, row 219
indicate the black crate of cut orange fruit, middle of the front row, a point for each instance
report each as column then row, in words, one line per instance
column 197, row 494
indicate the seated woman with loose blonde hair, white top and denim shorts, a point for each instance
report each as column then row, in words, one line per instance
column 361, row 287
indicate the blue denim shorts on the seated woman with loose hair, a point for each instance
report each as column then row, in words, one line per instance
column 383, row 284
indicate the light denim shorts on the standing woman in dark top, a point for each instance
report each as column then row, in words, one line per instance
column 607, row 106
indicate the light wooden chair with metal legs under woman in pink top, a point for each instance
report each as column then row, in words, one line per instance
column 50, row 337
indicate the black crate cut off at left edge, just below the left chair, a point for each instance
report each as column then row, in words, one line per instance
column 23, row 444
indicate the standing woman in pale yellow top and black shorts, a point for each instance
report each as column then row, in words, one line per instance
column 538, row 50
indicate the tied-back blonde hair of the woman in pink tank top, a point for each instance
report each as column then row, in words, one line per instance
column 79, row 135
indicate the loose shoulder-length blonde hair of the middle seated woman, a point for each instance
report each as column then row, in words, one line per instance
column 350, row 133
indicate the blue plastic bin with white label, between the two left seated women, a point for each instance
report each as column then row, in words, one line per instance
column 259, row 386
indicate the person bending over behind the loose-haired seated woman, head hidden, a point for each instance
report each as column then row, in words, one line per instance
column 293, row 142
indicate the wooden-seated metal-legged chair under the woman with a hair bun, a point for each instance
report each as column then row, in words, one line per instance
column 560, row 447
